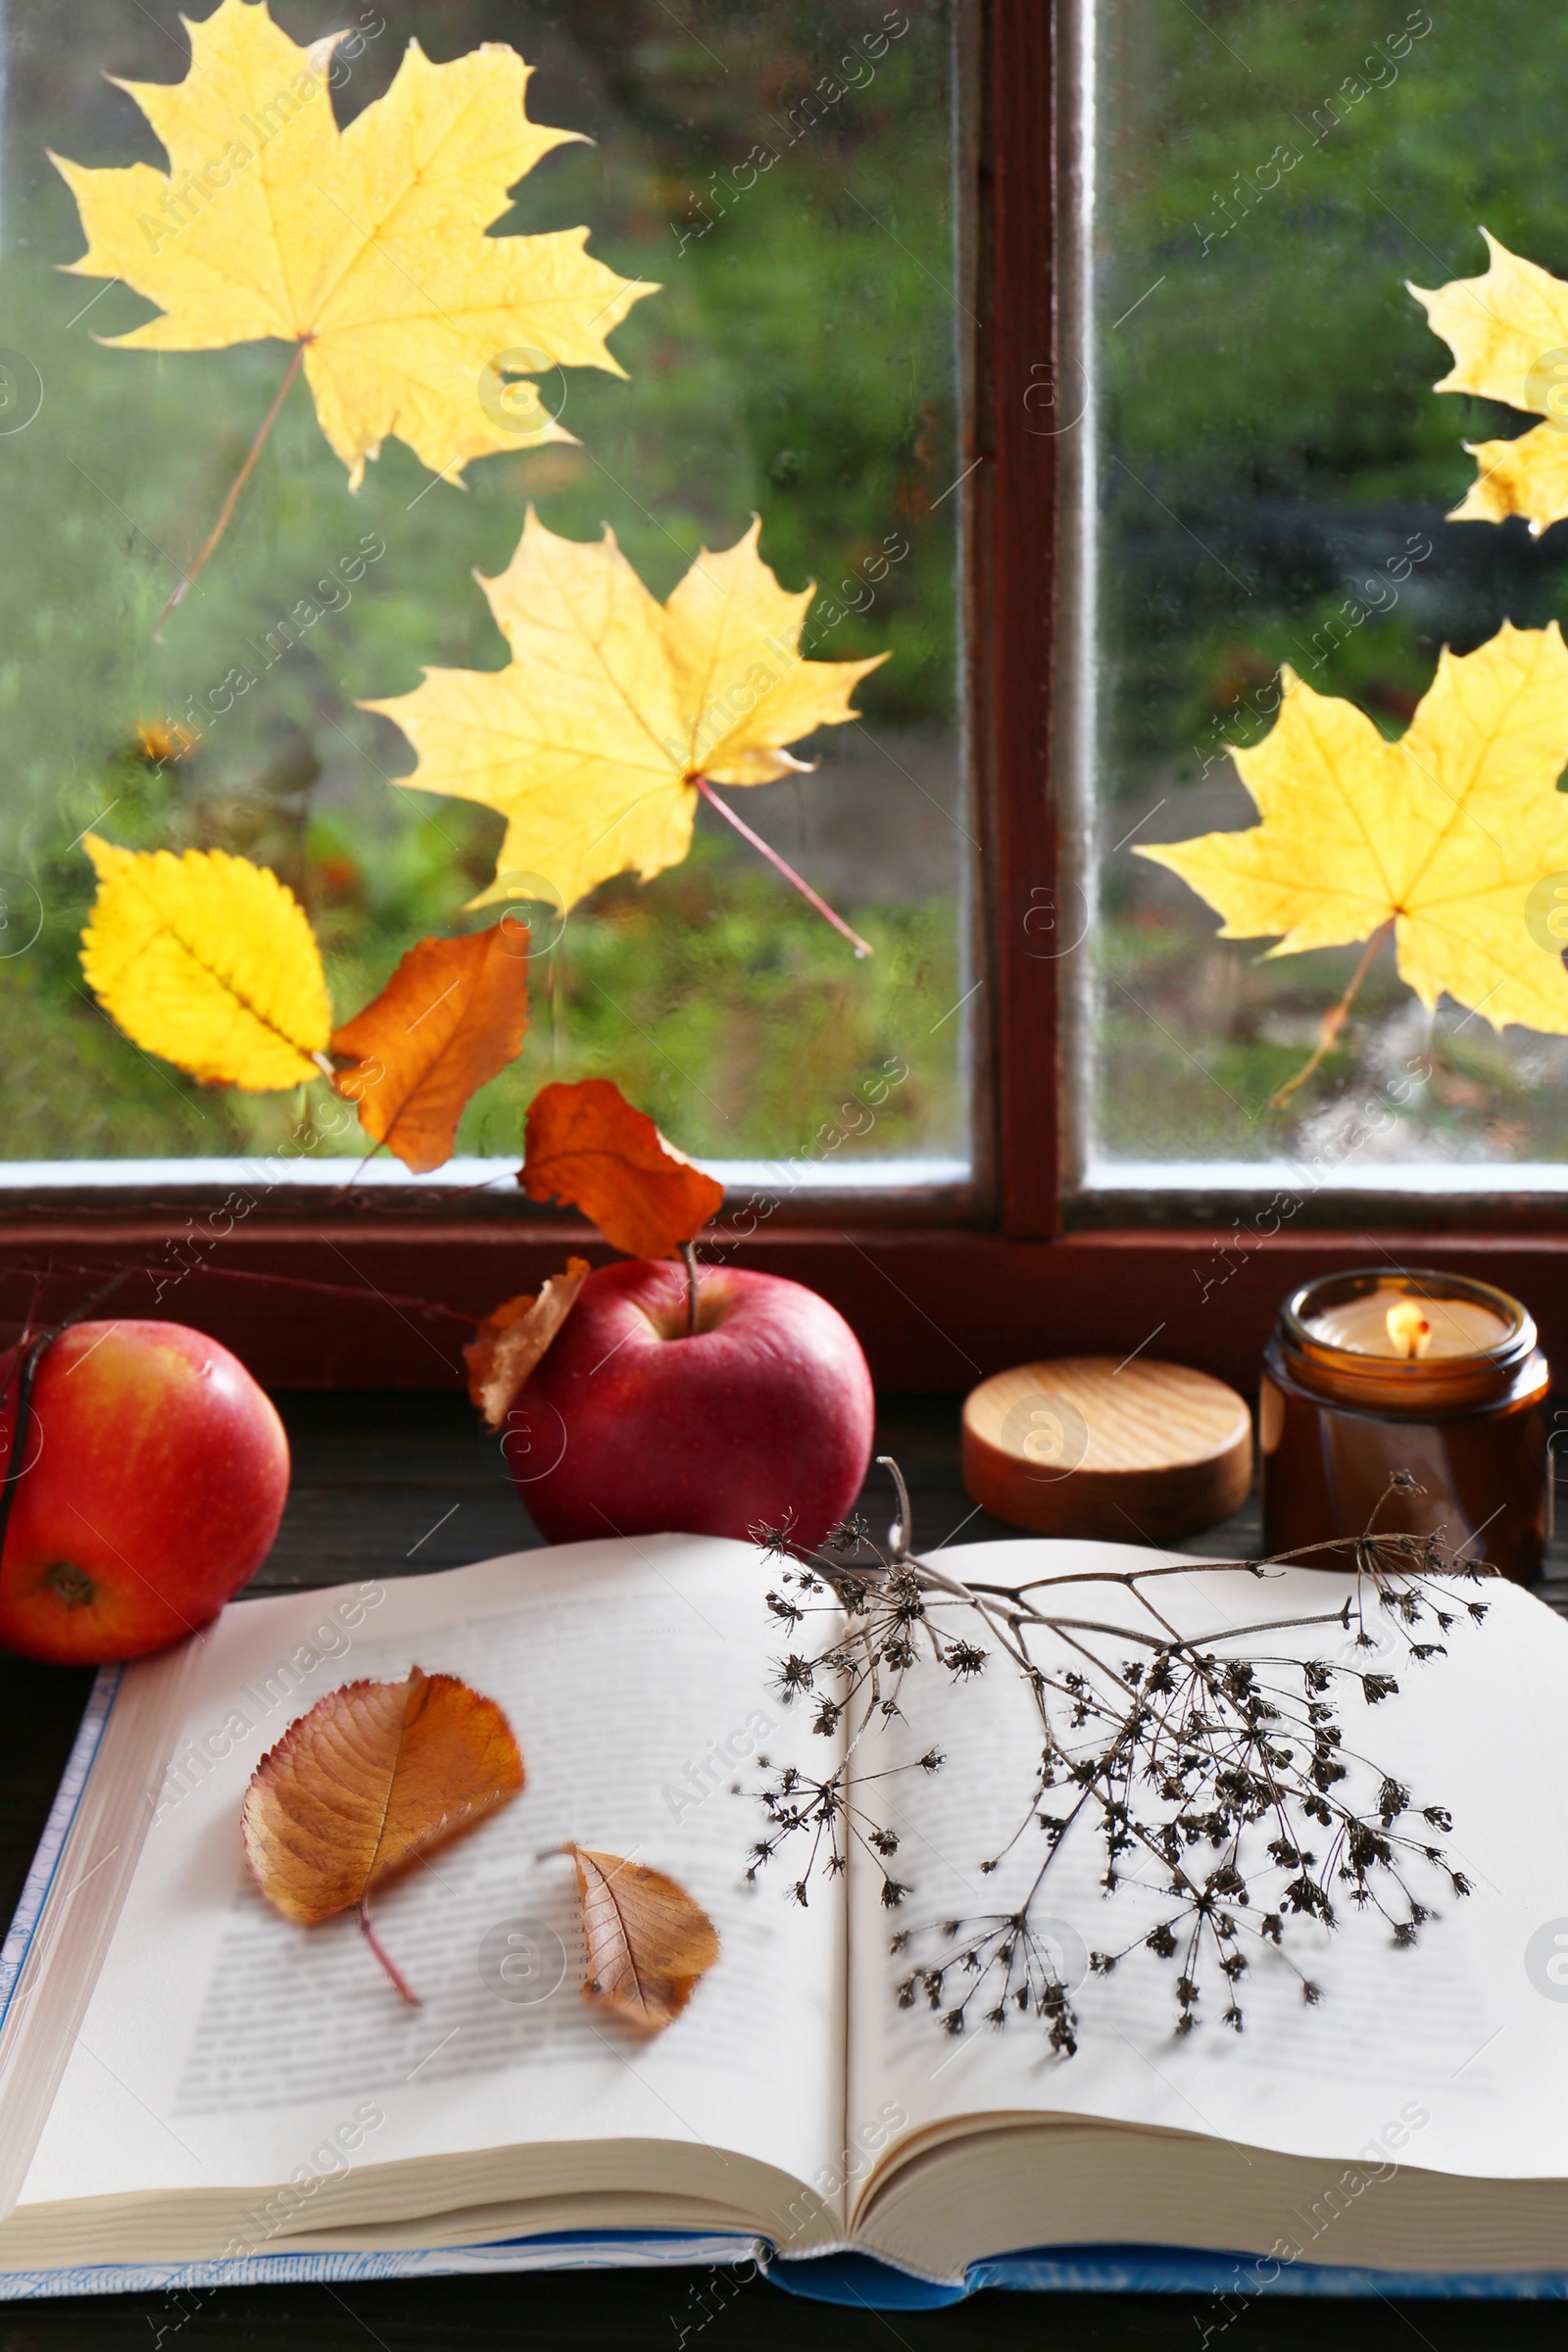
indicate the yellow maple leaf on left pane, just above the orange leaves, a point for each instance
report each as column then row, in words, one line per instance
column 617, row 711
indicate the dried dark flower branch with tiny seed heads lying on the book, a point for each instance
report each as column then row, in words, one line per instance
column 1212, row 1768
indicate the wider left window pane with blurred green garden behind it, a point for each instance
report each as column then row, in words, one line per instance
column 786, row 173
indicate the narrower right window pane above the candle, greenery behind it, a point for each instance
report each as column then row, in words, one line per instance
column 1273, row 472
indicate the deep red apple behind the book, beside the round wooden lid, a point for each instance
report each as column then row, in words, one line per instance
column 634, row 1426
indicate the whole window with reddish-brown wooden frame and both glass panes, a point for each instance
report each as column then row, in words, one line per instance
column 1057, row 1175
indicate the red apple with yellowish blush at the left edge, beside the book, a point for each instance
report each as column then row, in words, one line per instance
column 156, row 1476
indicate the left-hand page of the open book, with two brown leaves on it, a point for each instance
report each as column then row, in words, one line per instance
column 225, row 2045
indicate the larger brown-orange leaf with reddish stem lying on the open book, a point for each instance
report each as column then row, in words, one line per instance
column 373, row 1777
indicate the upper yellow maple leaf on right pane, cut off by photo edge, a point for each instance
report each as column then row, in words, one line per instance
column 1510, row 342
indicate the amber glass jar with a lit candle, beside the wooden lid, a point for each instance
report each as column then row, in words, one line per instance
column 1376, row 1372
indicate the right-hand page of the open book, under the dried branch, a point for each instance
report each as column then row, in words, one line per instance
column 1459, row 2045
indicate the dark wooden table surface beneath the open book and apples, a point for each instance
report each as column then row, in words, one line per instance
column 406, row 1483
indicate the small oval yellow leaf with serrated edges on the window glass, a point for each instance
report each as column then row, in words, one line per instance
column 210, row 963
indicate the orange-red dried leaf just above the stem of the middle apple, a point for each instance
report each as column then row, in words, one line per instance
column 589, row 1147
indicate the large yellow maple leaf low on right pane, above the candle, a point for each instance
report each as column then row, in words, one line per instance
column 1442, row 836
